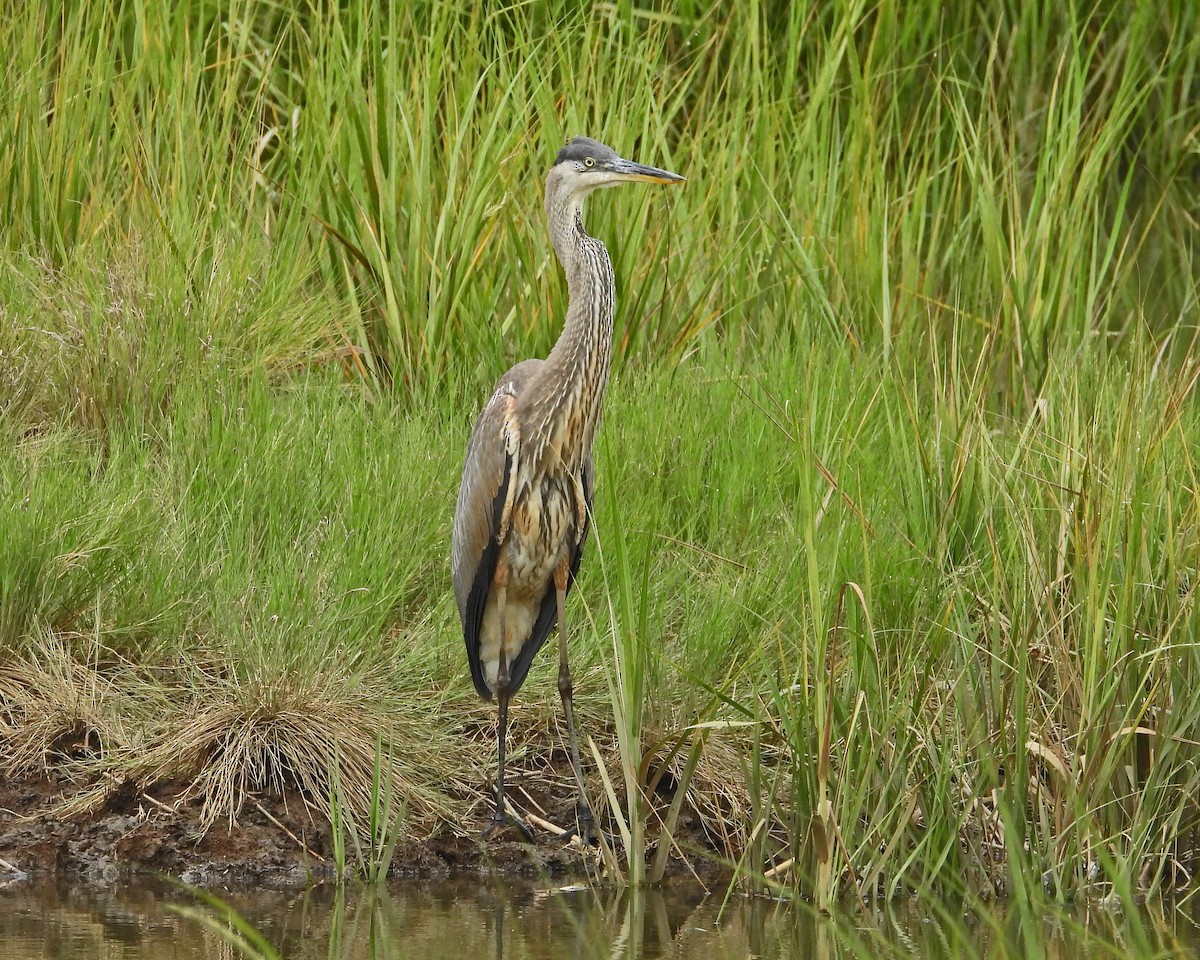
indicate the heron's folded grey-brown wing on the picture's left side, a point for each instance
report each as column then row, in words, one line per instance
column 487, row 476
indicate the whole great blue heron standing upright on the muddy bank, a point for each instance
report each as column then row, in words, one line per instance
column 526, row 495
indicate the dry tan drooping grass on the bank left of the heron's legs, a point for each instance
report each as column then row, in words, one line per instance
column 106, row 725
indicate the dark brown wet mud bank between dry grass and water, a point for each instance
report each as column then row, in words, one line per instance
column 277, row 841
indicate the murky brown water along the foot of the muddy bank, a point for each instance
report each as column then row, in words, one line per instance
column 473, row 921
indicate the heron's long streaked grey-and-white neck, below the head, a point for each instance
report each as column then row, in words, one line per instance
column 577, row 373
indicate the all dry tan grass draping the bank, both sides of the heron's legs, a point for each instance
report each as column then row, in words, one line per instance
column 229, row 741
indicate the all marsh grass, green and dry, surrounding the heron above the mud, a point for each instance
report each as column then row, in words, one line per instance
column 895, row 565
